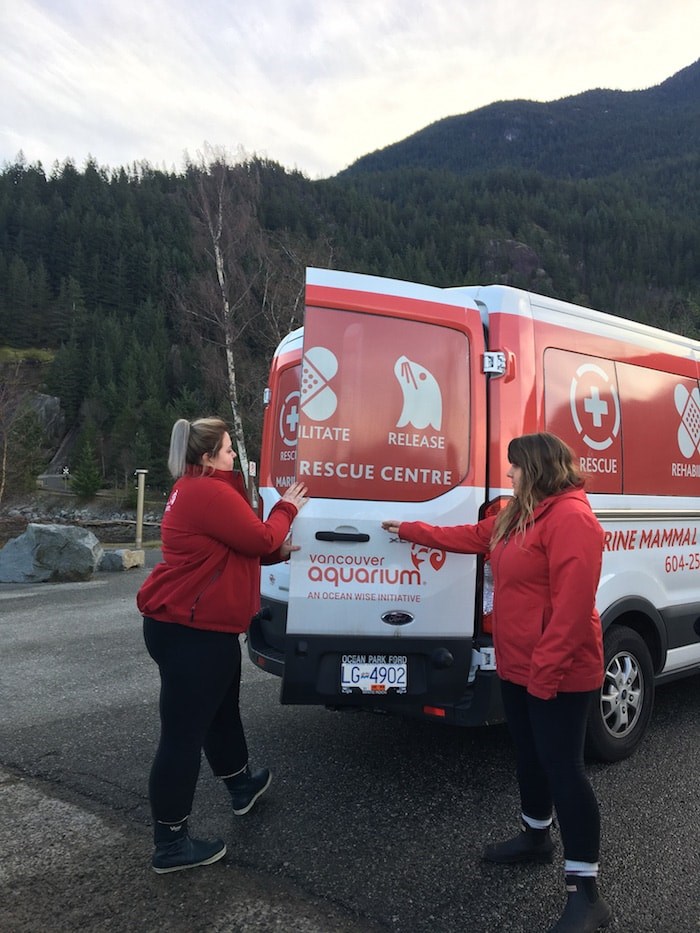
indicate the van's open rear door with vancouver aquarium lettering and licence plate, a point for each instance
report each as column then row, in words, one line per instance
column 392, row 425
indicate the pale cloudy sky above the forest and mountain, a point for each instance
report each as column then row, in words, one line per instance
column 310, row 84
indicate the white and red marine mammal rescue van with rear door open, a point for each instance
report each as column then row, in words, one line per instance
column 398, row 400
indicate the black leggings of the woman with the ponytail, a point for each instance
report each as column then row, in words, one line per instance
column 200, row 674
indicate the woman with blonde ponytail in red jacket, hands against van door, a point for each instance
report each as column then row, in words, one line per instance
column 195, row 604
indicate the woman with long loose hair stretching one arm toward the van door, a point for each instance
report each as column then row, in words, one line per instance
column 546, row 550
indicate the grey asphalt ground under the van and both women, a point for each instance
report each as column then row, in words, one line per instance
column 372, row 824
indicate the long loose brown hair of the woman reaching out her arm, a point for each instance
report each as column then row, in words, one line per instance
column 547, row 466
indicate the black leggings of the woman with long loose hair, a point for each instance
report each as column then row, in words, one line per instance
column 549, row 738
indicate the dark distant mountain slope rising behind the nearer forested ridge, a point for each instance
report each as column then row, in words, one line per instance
column 588, row 135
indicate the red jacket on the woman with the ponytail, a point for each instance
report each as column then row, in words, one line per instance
column 213, row 543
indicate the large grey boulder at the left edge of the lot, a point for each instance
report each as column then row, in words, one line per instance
column 50, row 554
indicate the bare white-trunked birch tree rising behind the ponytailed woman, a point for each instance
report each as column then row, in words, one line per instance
column 249, row 292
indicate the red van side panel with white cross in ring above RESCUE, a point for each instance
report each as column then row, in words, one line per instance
column 582, row 406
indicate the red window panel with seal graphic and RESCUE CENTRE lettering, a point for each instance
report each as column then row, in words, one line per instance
column 384, row 407
